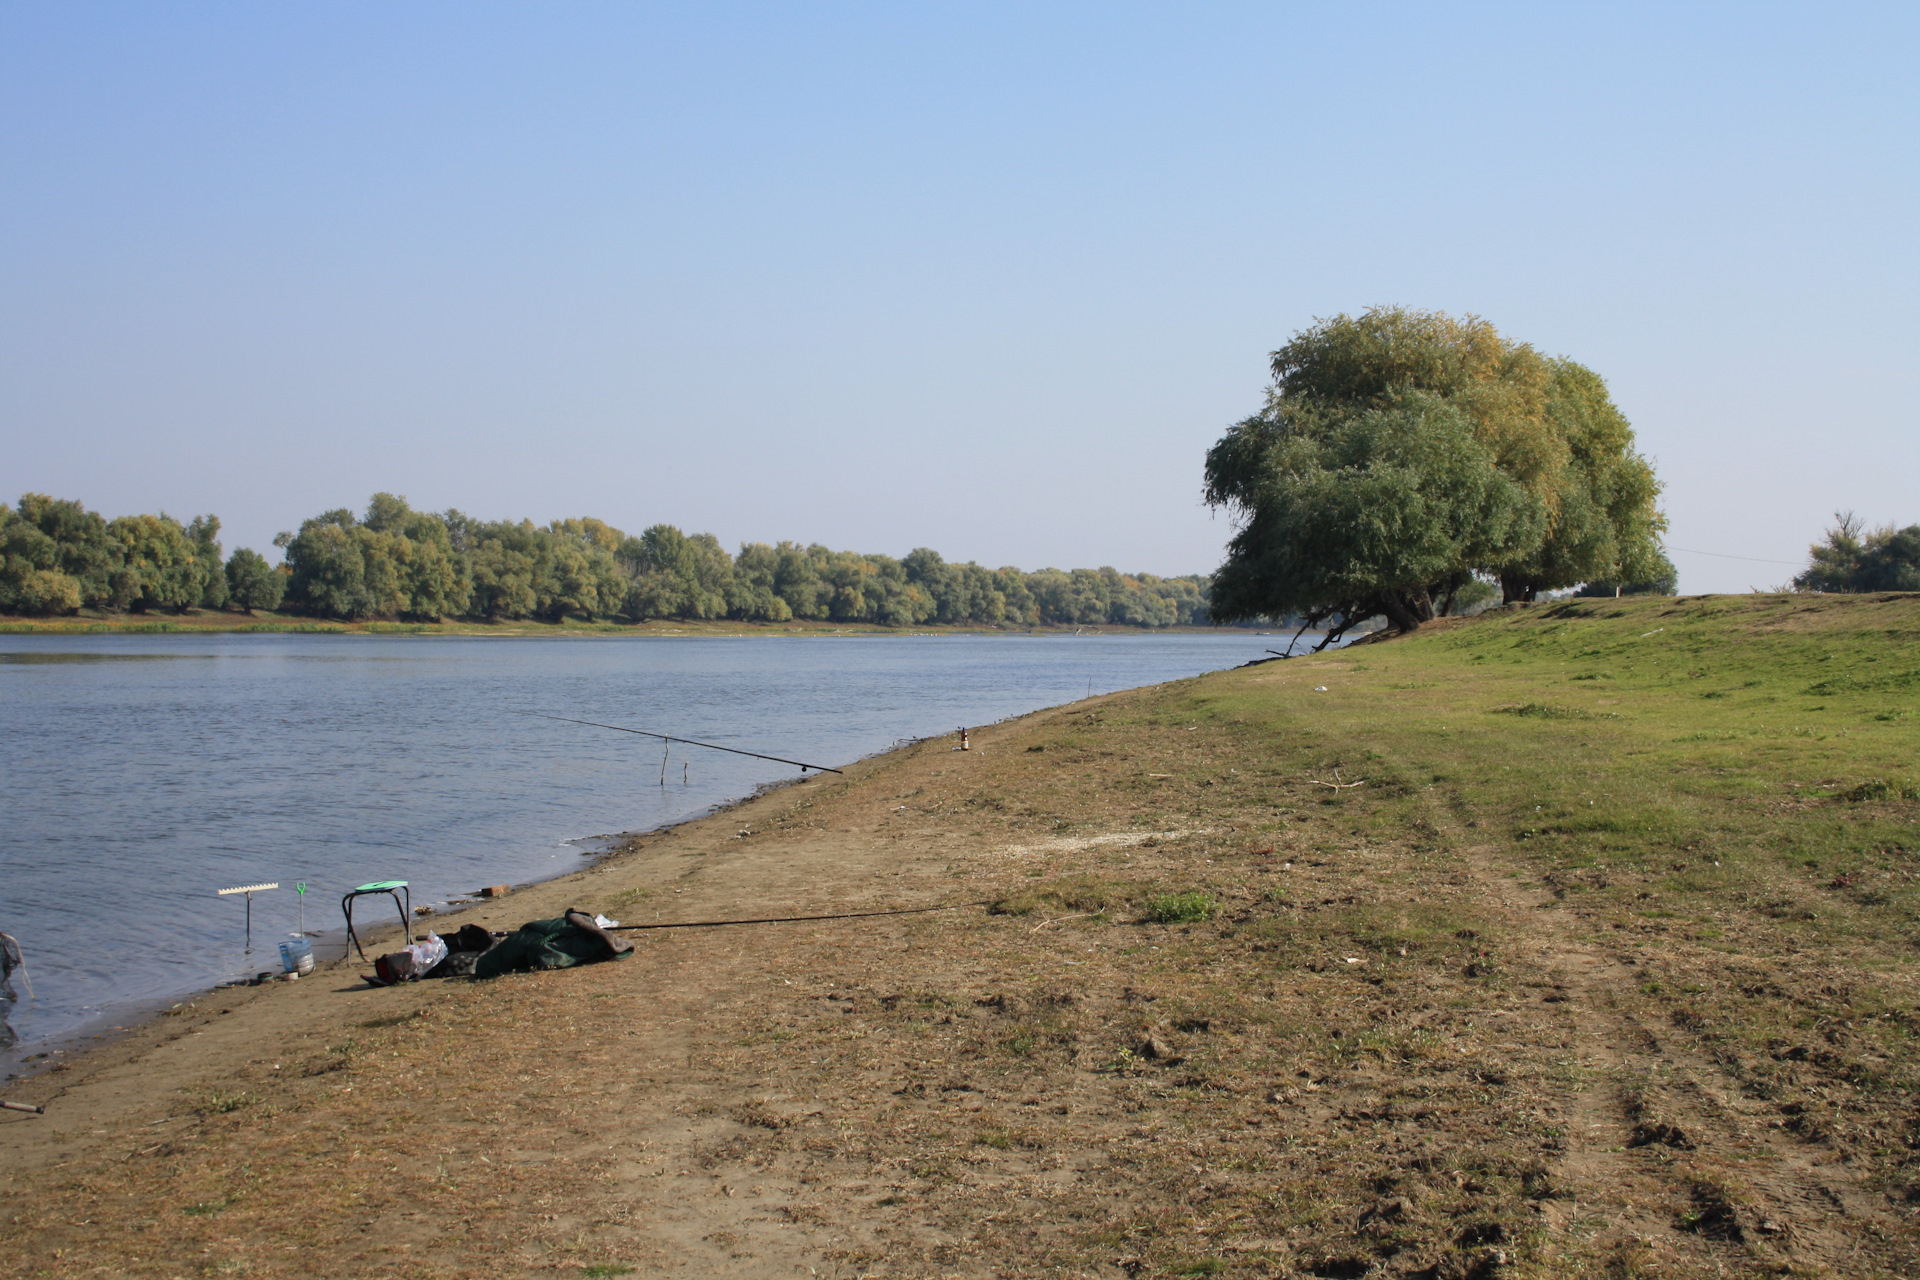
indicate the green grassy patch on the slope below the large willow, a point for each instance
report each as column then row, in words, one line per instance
column 1806, row 753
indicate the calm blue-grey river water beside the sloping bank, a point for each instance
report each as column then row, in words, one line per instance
column 145, row 772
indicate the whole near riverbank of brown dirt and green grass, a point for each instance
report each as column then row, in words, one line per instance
column 1564, row 941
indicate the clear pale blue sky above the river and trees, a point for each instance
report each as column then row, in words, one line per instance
column 980, row 277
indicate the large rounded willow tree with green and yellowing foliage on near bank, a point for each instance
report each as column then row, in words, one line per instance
column 1403, row 454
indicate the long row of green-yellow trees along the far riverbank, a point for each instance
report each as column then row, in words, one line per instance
column 400, row 563
